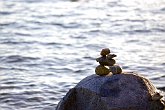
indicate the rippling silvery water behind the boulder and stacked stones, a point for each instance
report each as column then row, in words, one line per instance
column 48, row 46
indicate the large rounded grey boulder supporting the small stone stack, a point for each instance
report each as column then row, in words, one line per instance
column 127, row 91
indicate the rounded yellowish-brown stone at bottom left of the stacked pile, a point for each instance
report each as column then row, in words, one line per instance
column 101, row 70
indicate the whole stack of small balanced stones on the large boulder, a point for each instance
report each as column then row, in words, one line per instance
column 107, row 63
